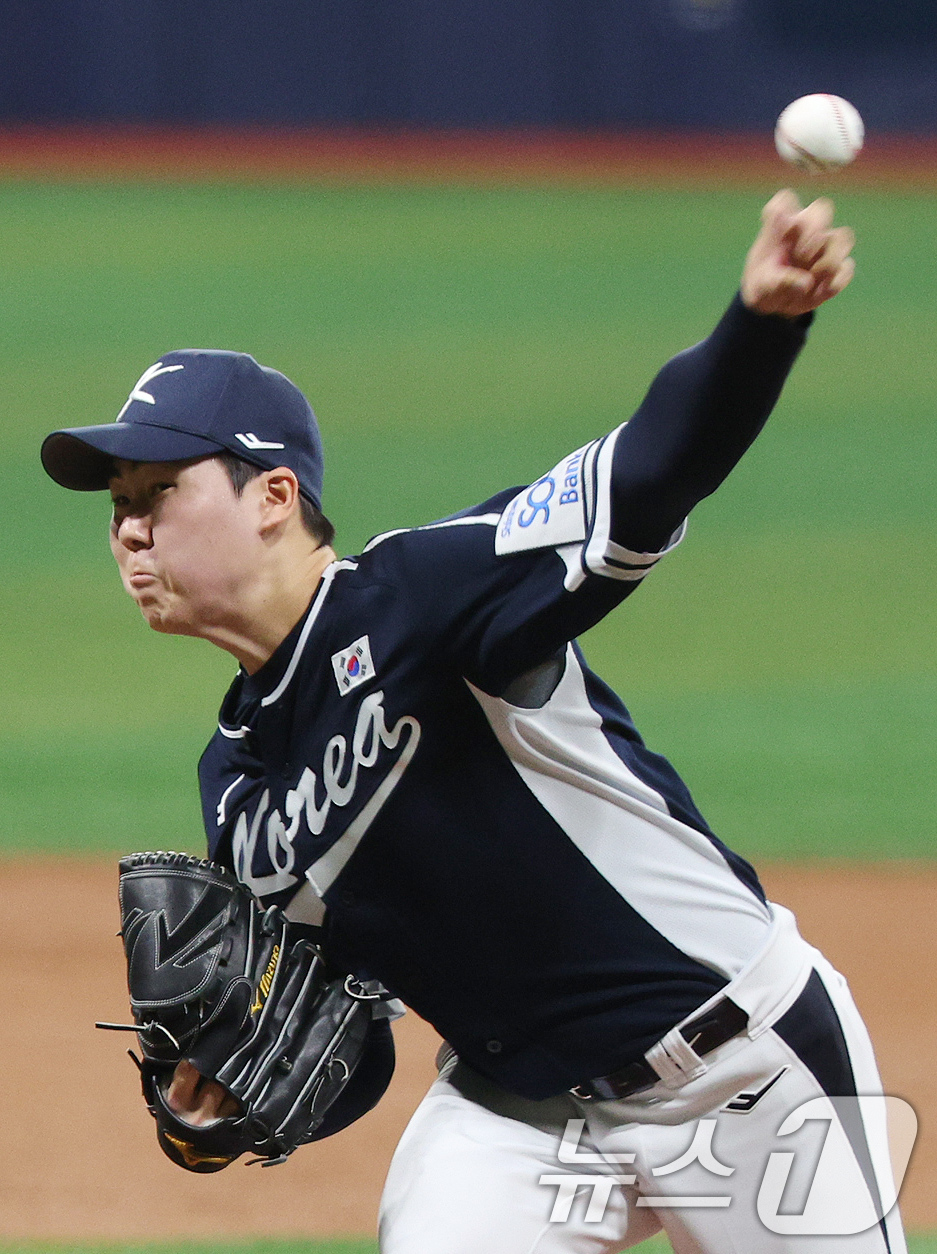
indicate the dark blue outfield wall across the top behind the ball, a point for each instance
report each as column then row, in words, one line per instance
column 713, row 65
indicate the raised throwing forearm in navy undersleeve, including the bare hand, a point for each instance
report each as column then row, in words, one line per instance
column 708, row 404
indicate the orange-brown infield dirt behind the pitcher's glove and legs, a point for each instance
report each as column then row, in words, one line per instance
column 80, row 1159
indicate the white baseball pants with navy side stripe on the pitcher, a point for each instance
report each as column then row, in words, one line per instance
column 776, row 1143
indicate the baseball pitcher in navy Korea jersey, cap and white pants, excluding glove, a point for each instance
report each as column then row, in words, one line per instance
column 416, row 757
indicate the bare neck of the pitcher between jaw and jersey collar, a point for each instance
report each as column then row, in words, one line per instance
column 273, row 608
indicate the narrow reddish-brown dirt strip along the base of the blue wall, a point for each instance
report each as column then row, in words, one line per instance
column 507, row 157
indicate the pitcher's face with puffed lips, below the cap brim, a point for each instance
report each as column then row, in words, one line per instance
column 185, row 542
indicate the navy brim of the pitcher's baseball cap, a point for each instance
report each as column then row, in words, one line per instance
column 83, row 457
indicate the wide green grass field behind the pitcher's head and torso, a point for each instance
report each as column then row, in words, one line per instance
column 455, row 342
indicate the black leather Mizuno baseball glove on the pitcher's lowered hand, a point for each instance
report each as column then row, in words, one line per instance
column 249, row 999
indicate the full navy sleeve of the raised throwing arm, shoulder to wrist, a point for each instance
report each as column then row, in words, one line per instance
column 506, row 586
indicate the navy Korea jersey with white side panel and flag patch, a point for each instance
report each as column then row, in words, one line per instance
column 509, row 860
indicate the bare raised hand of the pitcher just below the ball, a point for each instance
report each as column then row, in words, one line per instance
column 800, row 259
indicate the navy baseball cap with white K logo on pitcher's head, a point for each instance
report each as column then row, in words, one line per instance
column 194, row 403
